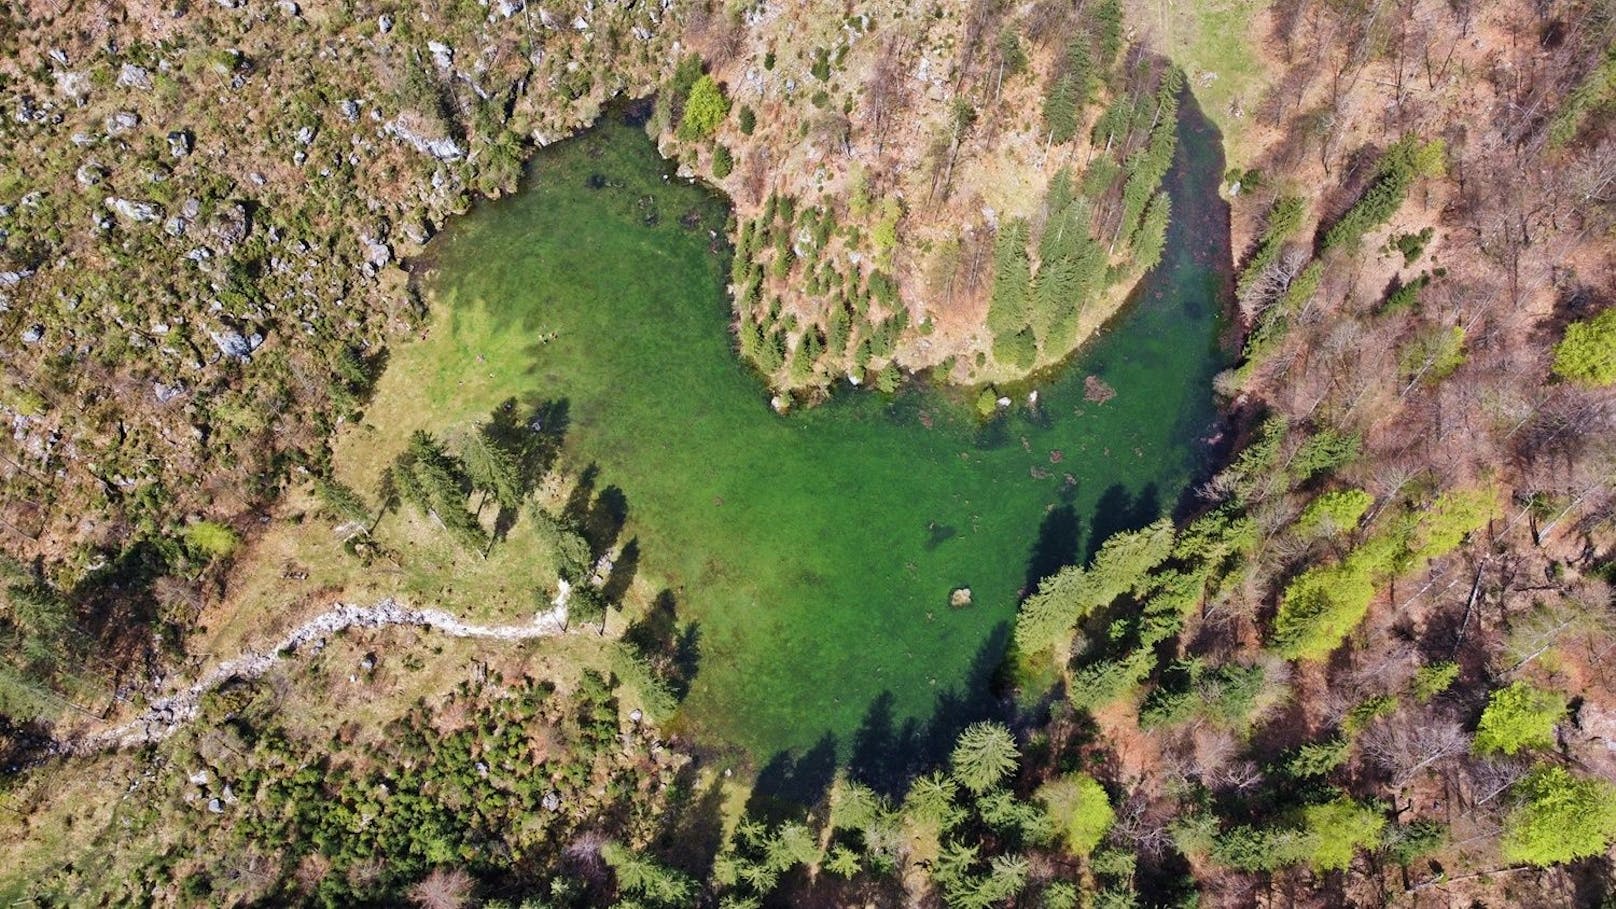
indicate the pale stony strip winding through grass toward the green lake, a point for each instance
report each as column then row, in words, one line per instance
column 167, row 714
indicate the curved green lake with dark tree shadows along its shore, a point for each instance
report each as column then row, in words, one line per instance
column 817, row 552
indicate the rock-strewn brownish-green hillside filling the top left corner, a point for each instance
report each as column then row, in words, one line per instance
column 204, row 211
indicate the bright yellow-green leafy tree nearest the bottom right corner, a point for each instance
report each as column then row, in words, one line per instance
column 1560, row 818
